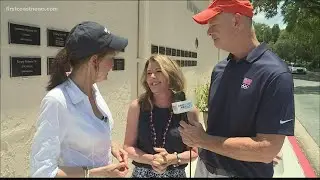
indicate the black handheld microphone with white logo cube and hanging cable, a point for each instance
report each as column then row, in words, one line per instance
column 181, row 106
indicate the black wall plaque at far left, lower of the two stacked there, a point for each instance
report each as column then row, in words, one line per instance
column 25, row 66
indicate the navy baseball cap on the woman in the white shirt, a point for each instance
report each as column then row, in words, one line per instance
column 89, row 38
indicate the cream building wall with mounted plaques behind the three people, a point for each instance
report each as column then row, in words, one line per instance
column 150, row 26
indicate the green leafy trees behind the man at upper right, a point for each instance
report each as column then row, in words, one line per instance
column 300, row 42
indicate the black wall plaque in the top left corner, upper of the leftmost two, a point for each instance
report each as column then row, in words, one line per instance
column 22, row 34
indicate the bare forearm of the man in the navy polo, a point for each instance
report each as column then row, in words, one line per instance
column 262, row 148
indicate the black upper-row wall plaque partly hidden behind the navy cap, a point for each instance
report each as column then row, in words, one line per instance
column 56, row 38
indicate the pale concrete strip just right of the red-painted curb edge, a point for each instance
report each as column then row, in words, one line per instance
column 308, row 146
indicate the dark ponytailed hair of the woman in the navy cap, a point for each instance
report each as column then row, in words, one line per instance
column 62, row 62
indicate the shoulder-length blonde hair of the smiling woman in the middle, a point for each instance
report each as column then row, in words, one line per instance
column 170, row 70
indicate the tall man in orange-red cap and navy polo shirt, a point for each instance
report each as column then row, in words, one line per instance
column 251, row 102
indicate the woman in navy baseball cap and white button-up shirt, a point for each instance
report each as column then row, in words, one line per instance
column 73, row 137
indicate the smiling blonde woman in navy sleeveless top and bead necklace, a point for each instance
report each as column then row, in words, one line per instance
column 152, row 138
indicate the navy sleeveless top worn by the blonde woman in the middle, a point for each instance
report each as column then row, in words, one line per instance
column 160, row 119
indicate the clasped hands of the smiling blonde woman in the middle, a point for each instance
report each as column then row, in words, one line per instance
column 160, row 161
